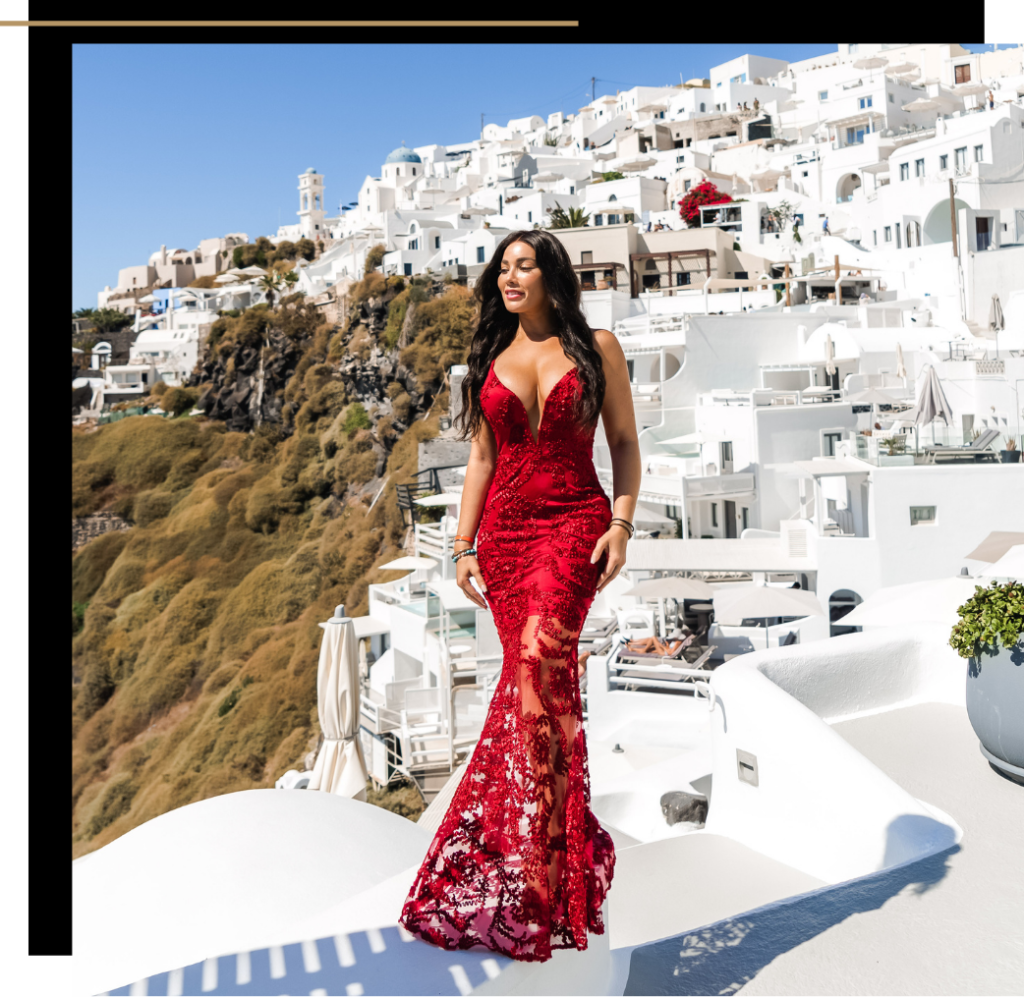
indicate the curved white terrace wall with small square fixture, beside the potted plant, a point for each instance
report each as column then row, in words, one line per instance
column 821, row 806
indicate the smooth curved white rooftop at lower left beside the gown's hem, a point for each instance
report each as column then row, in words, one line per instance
column 229, row 875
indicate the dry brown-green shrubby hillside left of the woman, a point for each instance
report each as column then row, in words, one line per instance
column 196, row 644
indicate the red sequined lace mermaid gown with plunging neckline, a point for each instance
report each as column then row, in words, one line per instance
column 520, row 864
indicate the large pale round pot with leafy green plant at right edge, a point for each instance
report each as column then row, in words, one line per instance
column 991, row 636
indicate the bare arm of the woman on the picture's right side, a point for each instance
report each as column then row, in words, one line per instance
column 621, row 431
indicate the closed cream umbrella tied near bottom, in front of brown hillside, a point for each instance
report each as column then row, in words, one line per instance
column 339, row 768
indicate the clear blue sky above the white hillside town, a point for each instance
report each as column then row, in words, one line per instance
column 175, row 144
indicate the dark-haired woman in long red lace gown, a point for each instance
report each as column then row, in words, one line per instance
column 520, row 864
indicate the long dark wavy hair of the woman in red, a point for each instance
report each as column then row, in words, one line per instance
column 498, row 328
